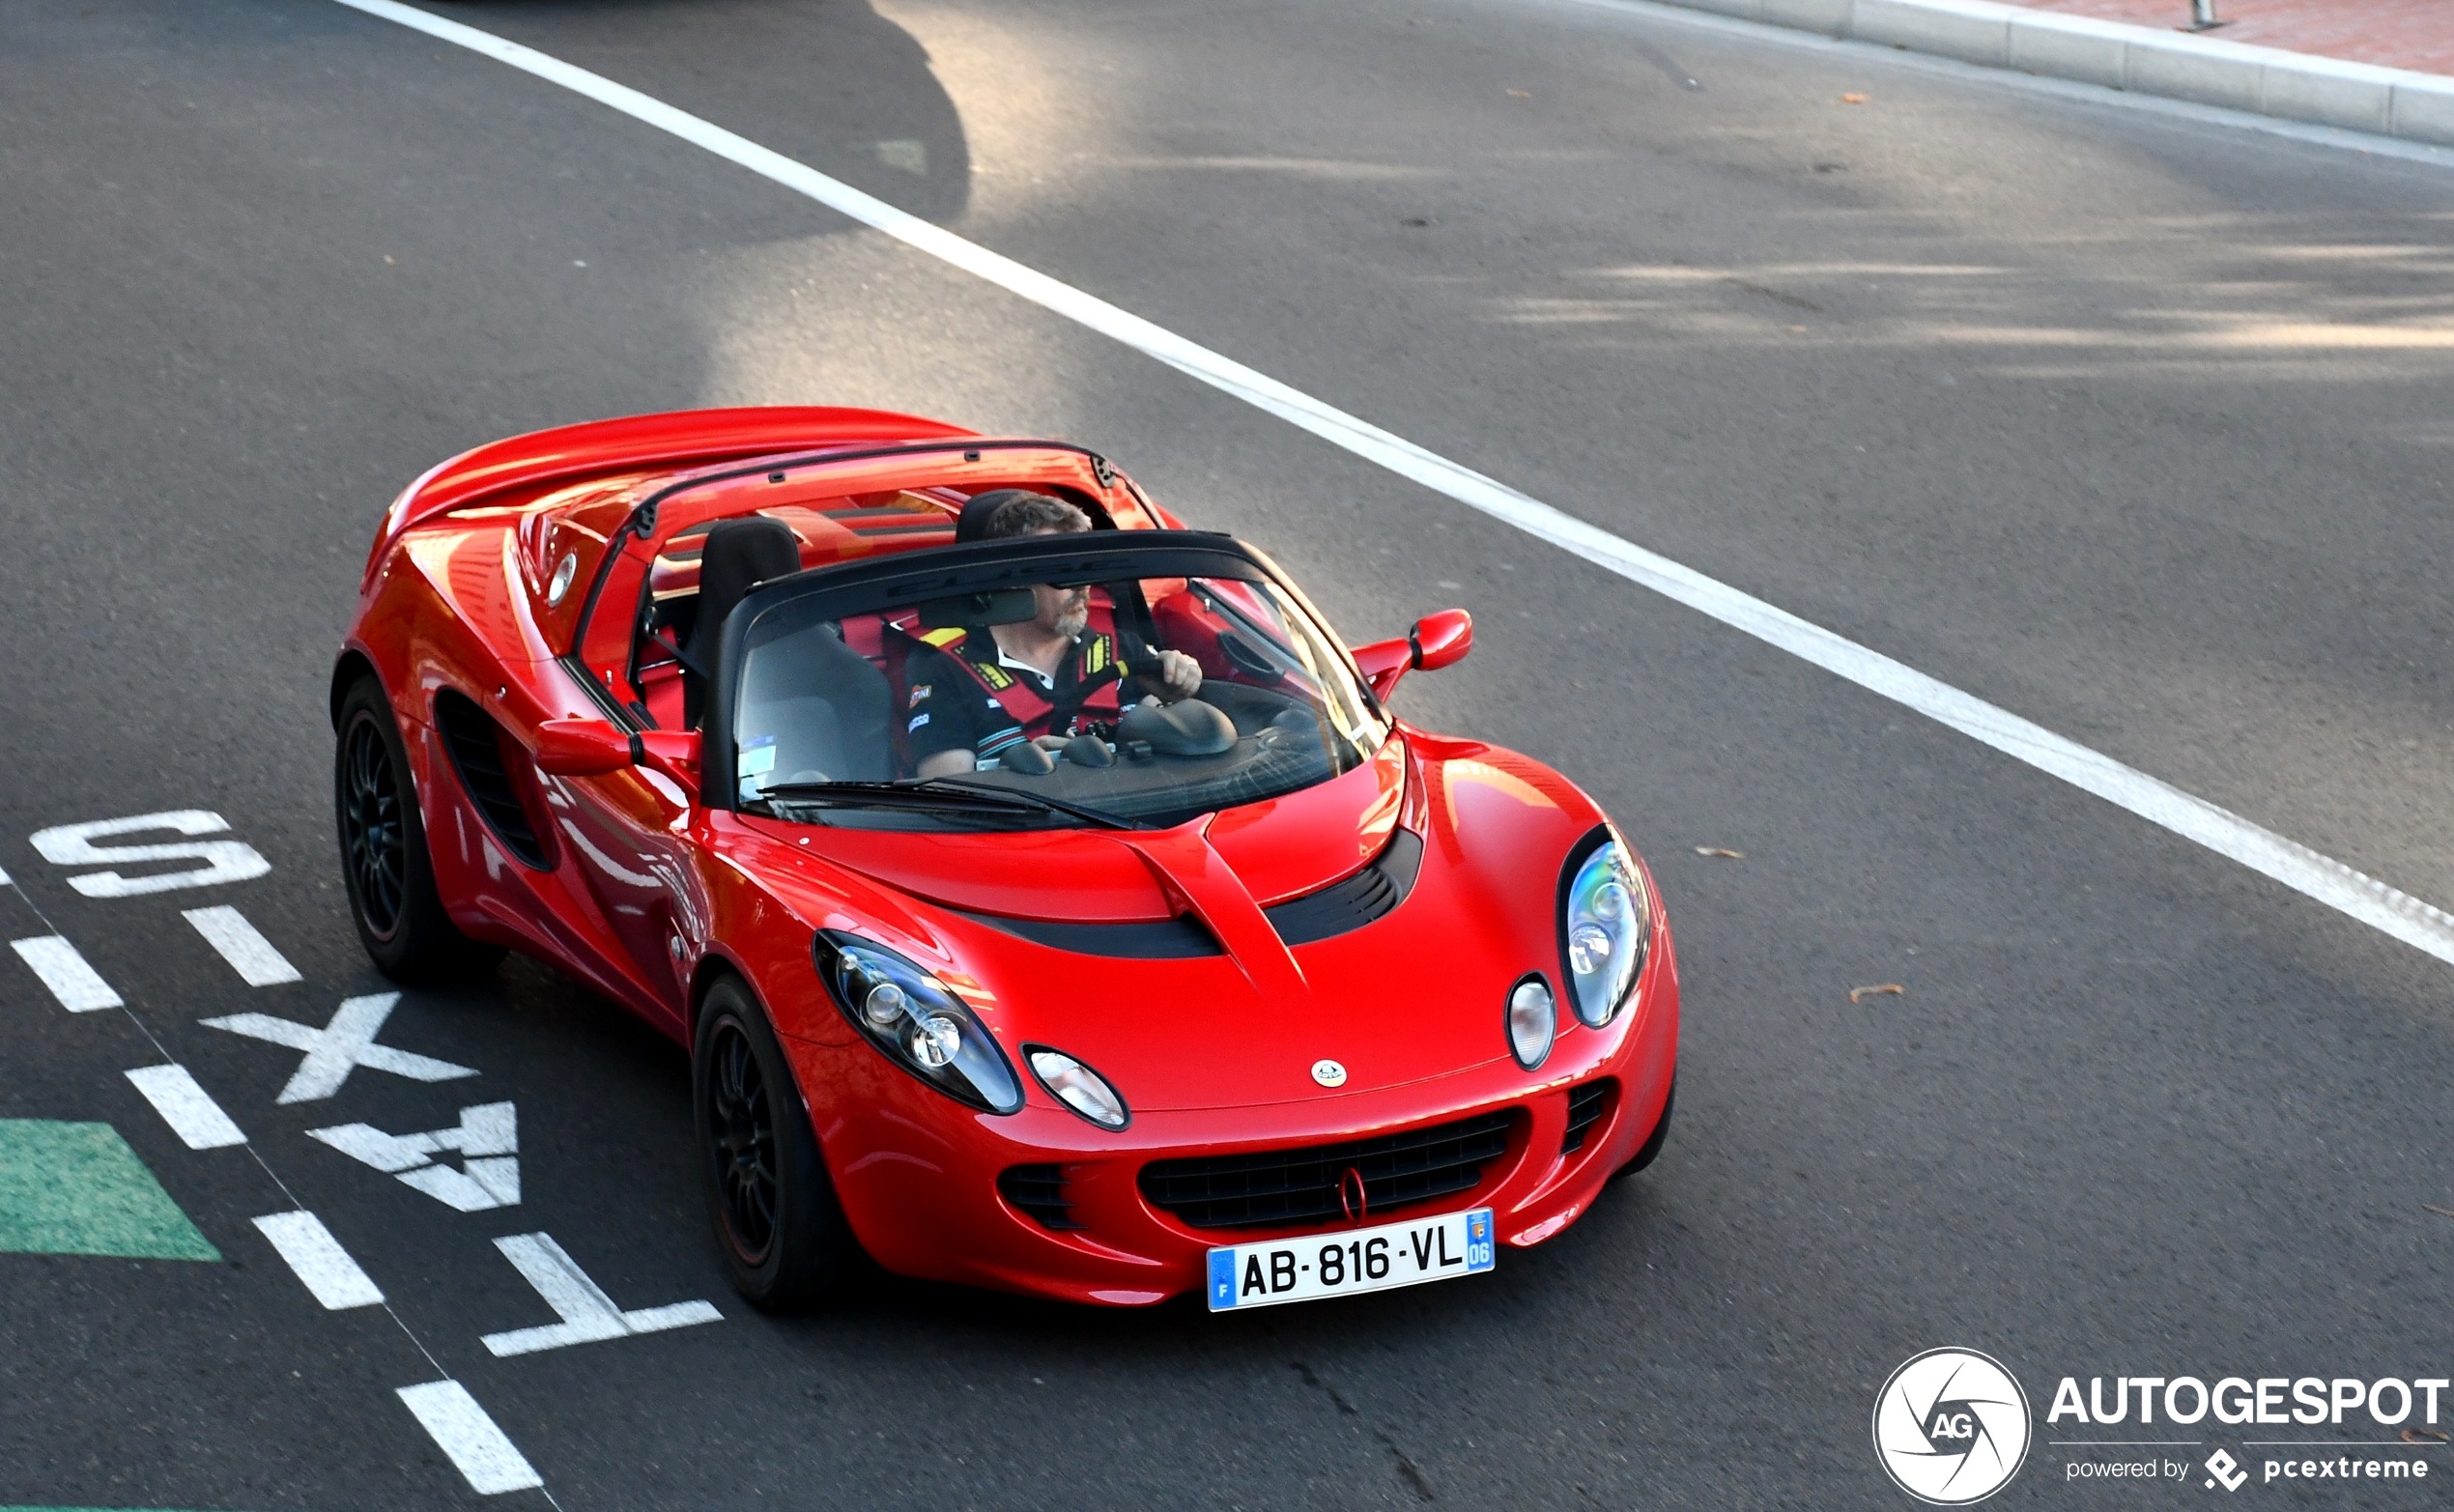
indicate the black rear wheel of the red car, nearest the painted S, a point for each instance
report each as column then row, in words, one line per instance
column 384, row 850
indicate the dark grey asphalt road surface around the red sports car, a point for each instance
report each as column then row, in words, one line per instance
column 2134, row 426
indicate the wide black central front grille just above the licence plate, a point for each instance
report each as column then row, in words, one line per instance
column 1297, row 1187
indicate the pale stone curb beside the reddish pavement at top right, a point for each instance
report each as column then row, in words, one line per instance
column 2175, row 65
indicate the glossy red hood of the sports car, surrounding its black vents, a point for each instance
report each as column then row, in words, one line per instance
column 1410, row 998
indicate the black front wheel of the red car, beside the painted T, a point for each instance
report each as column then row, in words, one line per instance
column 777, row 1219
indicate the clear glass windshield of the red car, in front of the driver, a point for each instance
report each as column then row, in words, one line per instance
column 1042, row 684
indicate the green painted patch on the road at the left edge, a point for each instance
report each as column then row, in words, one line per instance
column 77, row 1189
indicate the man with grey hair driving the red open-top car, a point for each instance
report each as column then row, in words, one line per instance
column 973, row 696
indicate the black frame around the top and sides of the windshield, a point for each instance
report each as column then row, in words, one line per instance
column 948, row 571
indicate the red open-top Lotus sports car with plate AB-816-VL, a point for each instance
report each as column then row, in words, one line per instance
column 1047, row 897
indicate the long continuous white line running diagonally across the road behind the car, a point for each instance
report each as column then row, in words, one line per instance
column 2151, row 799
